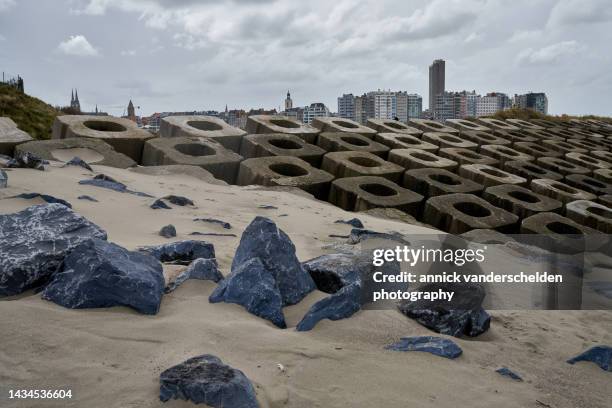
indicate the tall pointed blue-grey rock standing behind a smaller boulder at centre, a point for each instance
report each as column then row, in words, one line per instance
column 264, row 240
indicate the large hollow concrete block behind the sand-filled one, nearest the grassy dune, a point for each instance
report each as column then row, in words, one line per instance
column 122, row 134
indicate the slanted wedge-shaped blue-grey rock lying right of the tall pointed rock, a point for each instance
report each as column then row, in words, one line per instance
column 340, row 305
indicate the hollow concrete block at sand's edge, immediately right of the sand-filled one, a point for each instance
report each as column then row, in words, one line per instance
column 195, row 151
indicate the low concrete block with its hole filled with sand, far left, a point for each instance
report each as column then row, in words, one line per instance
column 93, row 151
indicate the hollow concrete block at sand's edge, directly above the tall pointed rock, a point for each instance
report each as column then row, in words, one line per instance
column 285, row 171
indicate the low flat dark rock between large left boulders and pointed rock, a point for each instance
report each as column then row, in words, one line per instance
column 181, row 252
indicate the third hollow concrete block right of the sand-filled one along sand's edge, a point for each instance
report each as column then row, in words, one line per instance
column 364, row 193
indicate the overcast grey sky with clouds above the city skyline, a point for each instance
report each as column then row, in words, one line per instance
column 185, row 55
